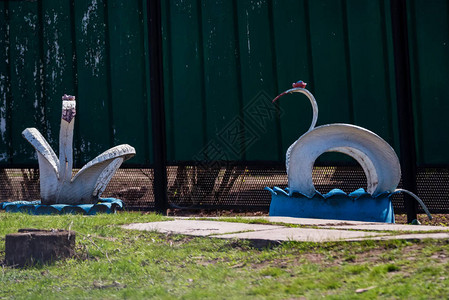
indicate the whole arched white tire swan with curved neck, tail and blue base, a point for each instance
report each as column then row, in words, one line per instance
column 377, row 158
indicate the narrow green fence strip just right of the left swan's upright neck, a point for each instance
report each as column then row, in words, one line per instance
column 93, row 127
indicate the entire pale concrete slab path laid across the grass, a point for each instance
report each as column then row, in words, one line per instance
column 263, row 235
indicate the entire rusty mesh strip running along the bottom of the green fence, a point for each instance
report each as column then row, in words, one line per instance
column 228, row 186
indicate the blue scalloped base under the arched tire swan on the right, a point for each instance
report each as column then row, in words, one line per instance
column 337, row 205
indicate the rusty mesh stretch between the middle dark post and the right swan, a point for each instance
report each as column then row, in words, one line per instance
column 226, row 186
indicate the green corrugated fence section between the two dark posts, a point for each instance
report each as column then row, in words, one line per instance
column 220, row 55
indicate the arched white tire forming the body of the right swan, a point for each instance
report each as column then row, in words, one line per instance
column 377, row 158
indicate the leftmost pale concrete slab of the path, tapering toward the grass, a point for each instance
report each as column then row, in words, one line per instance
column 199, row 227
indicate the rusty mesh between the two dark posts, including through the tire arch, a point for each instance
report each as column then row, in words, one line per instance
column 242, row 187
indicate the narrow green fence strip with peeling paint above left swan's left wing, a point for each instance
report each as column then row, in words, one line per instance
column 26, row 76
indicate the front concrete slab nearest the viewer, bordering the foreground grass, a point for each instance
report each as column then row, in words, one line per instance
column 301, row 234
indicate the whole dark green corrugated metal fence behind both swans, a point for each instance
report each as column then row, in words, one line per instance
column 223, row 62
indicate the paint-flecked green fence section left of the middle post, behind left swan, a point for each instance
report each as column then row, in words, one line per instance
column 93, row 49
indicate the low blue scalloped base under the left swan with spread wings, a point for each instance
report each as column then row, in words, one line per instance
column 105, row 205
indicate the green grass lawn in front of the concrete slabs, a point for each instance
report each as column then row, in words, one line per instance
column 115, row 263
